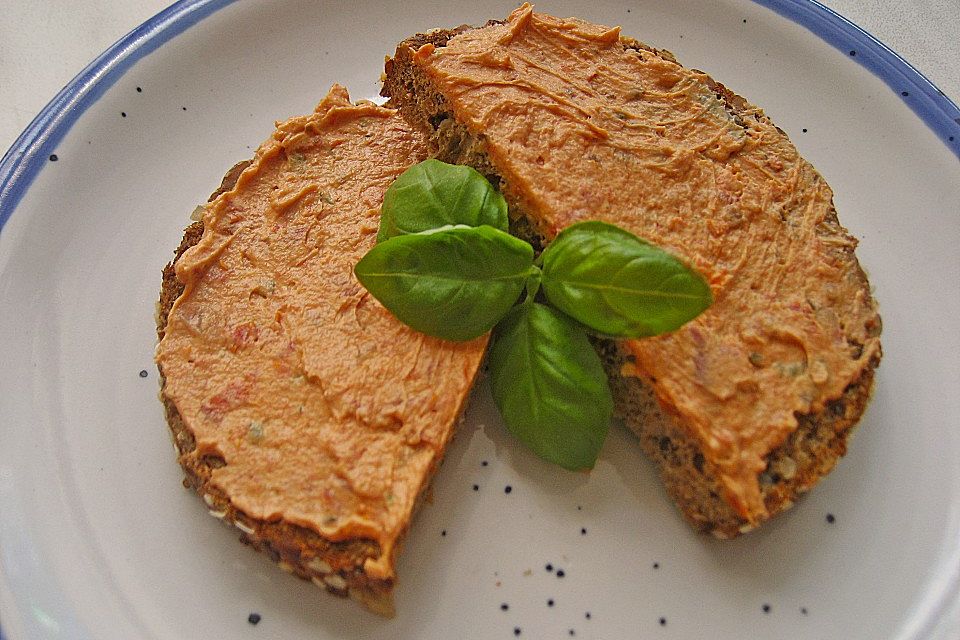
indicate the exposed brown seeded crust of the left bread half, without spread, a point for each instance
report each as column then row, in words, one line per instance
column 334, row 566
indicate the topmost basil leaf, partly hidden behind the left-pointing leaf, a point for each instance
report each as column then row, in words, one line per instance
column 434, row 194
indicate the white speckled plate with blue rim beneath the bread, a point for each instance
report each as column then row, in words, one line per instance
column 99, row 540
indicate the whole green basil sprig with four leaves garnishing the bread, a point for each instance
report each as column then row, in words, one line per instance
column 445, row 266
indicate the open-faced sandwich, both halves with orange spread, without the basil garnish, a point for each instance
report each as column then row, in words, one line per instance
column 312, row 419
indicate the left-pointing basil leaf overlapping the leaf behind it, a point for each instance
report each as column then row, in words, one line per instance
column 454, row 283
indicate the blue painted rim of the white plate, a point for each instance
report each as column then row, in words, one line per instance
column 31, row 151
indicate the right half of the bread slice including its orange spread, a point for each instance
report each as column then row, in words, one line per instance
column 751, row 404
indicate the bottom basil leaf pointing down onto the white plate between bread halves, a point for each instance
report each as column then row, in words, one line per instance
column 550, row 386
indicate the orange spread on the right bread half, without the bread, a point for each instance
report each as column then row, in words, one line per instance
column 583, row 128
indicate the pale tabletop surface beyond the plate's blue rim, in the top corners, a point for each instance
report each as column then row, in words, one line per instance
column 44, row 44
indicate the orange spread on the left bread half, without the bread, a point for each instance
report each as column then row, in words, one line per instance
column 328, row 411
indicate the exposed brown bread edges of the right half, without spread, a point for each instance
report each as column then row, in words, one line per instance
column 792, row 468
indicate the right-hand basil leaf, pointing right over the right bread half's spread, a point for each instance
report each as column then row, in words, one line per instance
column 619, row 285
